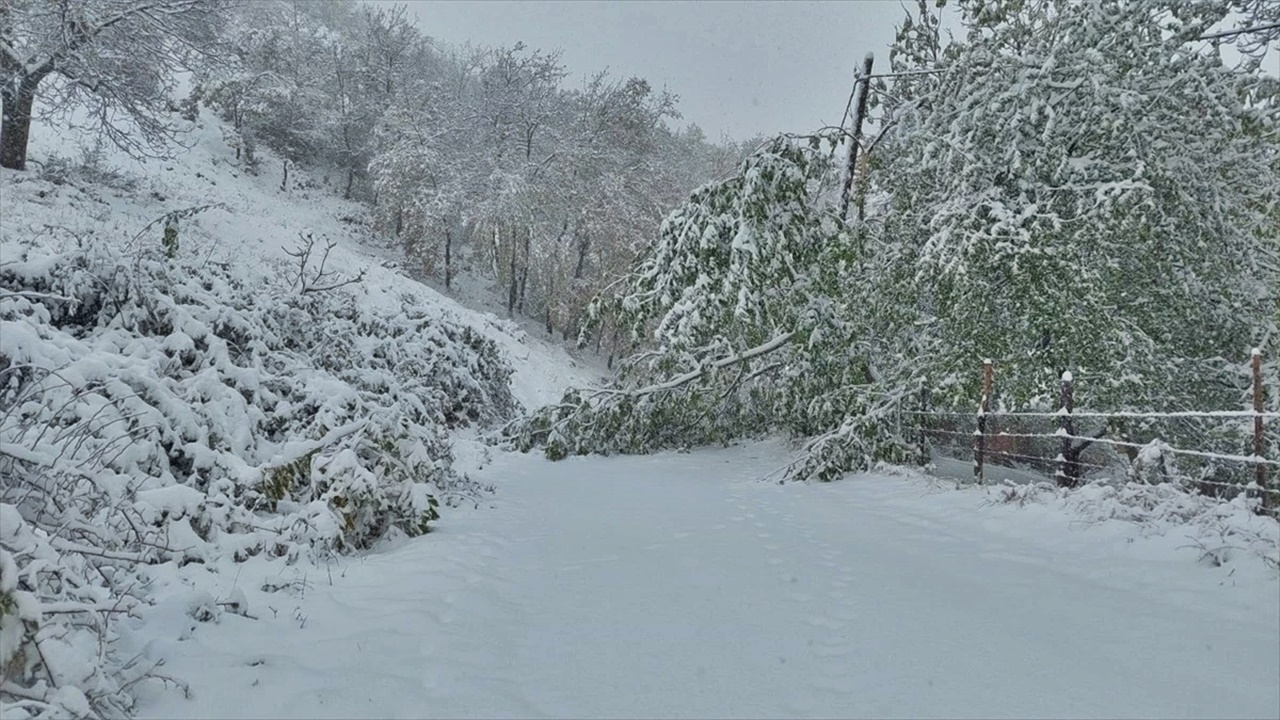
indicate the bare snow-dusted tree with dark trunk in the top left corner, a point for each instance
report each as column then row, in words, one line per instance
column 117, row 58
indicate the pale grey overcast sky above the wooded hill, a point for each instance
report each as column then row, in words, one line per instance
column 742, row 69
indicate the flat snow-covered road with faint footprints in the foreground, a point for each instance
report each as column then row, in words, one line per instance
column 680, row 586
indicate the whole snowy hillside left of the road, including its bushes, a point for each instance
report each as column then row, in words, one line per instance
column 186, row 408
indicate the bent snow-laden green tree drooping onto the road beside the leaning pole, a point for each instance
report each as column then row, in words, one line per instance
column 743, row 302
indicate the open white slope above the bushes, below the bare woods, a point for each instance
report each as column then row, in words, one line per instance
column 258, row 225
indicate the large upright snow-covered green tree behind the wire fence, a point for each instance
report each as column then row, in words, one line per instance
column 1082, row 190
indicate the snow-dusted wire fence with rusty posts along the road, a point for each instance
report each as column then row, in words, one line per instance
column 1206, row 452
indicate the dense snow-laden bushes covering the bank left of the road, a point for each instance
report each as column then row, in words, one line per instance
column 159, row 411
